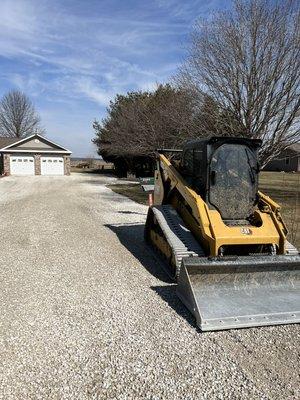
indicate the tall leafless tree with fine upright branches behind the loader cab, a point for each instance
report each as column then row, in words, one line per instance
column 248, row 62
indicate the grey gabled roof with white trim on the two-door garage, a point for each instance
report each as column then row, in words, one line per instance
column 12, row 144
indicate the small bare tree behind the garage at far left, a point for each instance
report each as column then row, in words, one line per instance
column 18, row 117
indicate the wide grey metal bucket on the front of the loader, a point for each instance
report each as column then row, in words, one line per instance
column 242, row 292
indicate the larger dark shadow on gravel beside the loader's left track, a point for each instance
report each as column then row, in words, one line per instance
column 132, row 237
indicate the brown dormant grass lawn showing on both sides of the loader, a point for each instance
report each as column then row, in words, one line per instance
column 283, row 188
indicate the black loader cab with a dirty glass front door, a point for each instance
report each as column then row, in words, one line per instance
column 224, row 172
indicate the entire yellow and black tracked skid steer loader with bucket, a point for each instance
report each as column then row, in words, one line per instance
column 223, row 240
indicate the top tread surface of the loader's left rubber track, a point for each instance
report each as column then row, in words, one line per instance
column 179, row 237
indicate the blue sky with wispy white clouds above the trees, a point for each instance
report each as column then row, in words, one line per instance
column 72, row 56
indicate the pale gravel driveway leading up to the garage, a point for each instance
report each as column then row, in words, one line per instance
column 87, row 313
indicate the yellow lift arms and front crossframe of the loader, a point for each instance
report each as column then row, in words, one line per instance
column 208, row 225
